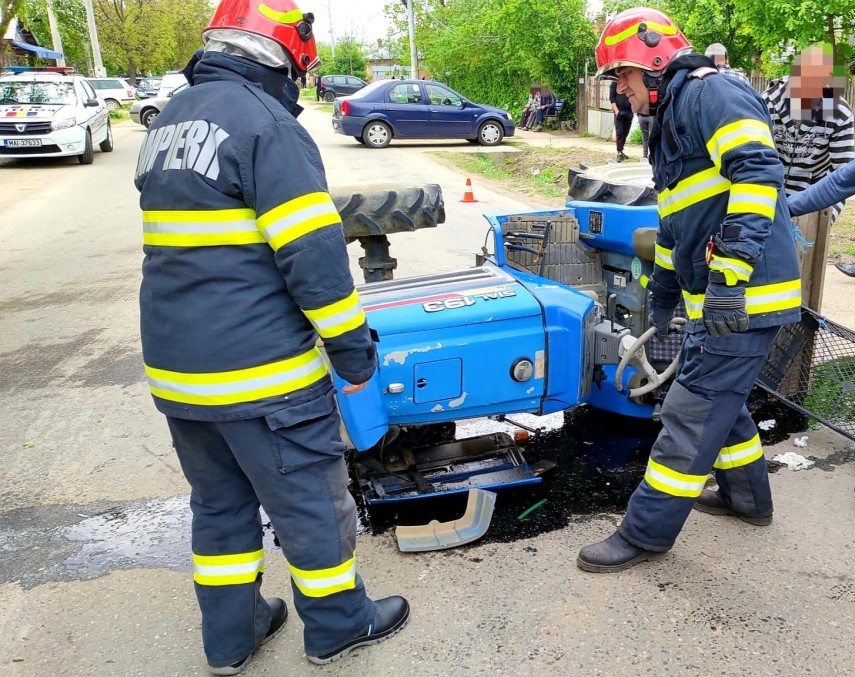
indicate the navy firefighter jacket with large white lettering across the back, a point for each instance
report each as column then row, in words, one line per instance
column 245, row 260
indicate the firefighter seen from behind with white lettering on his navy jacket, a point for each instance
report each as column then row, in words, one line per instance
column 245, row 266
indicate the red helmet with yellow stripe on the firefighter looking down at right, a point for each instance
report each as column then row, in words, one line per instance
column 640, row 37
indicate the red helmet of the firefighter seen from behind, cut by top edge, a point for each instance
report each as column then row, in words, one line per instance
column 278, row 20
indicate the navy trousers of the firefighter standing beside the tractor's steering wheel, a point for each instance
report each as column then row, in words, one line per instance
column 706, row 425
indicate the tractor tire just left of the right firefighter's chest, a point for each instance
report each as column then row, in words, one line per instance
column 624, row 183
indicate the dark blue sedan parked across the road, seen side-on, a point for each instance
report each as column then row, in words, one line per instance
column 417, row 109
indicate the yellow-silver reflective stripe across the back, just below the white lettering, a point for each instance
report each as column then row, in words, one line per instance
column 200, row 228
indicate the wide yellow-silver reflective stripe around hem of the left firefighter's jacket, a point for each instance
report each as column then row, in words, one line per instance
column 244, row 385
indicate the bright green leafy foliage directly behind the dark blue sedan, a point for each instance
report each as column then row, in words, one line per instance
column 494, row 50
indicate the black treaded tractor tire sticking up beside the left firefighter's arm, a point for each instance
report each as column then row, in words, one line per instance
column 368, row 211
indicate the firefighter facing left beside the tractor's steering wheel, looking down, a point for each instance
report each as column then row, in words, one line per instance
column 725, row 244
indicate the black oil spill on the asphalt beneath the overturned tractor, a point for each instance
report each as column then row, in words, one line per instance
column 601, row 458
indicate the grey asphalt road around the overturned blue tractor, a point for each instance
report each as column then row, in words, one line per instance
column 94, row 555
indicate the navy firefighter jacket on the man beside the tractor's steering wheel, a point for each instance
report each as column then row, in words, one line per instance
column 721, row 200
